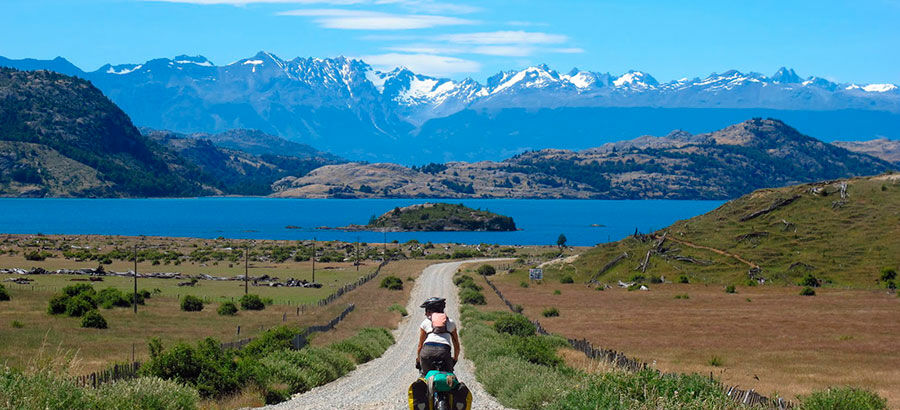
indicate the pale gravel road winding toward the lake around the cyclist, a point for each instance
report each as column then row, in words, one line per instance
column 383, row 382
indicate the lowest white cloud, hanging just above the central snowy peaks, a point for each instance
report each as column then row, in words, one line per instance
column 435, row 65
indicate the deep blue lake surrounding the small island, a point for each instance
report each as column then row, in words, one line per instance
column 584, row 222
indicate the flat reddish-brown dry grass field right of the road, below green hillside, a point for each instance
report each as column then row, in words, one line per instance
column 792, row 344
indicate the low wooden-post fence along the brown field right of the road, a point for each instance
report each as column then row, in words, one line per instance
column 621, row 361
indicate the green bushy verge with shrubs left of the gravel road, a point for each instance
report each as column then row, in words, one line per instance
column 178, row 377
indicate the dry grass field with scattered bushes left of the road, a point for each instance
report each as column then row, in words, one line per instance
column 41, row 334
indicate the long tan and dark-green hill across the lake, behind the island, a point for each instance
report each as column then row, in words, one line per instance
column 754, row 154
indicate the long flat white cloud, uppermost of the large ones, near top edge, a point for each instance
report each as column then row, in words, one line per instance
column 373, row 20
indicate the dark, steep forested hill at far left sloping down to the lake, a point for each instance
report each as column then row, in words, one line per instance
column 60, row 136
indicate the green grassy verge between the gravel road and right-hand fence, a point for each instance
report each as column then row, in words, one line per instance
column 526, row 372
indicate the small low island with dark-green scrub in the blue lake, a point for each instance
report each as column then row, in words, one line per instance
column 437, row 217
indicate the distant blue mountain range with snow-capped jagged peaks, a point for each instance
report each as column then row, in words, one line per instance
column 317, row 100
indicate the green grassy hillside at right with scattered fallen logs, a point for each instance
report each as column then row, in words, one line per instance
column 788, row 233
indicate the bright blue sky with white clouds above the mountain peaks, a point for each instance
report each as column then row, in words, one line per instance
column 847, row 41
